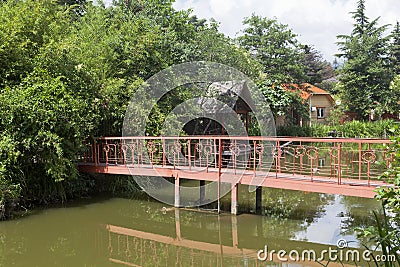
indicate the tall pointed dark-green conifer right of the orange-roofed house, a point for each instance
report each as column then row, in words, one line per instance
column 364, row 77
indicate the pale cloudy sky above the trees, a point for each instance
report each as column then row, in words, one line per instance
column 317, row 22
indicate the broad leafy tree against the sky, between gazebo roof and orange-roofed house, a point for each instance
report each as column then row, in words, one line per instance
column 275, row 46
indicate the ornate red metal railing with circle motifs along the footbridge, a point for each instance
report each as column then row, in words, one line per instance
column 330, row 158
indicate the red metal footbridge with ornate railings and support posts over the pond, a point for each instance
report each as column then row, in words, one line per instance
column 324, row 165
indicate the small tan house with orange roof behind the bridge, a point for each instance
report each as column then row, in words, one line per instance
column 319, row 101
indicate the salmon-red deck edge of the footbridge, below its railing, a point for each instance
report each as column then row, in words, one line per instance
column 319, row 184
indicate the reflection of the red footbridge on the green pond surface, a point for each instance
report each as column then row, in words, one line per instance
column 210, row 246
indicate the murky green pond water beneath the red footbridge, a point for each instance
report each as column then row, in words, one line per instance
column 128, row 232
